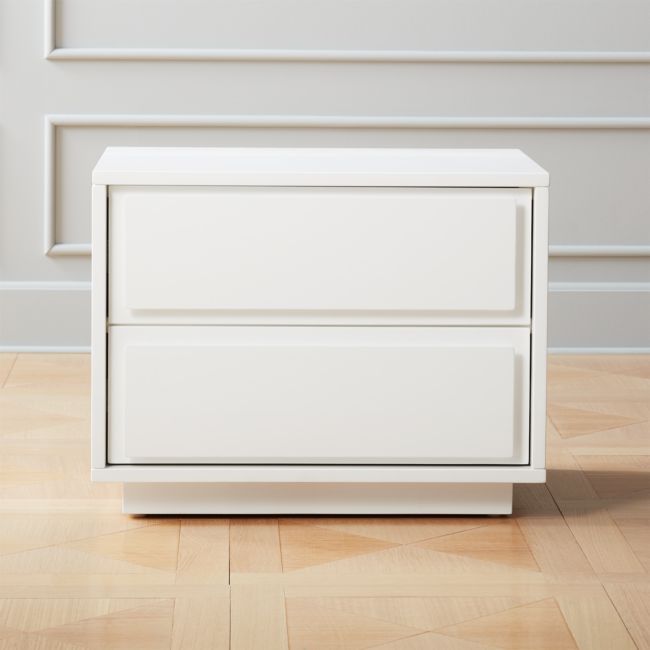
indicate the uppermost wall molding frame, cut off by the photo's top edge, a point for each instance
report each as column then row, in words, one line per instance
column 53, row 52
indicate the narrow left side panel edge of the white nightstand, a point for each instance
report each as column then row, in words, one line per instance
column 98, row 327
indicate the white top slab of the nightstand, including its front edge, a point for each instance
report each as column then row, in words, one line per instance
column 318, row 167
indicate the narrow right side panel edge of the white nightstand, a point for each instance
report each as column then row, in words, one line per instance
column 538, row 338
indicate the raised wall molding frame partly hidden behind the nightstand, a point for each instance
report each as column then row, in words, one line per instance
column 54, row 248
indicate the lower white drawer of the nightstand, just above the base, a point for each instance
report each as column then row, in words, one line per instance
column 372, row 395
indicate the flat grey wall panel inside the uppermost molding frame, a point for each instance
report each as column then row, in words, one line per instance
column 378, row 25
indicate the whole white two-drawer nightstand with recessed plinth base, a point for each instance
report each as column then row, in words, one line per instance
column 318, row 330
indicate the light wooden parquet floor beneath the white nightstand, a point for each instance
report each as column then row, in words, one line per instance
column 570, row 570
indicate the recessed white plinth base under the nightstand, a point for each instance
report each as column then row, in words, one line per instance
column 318, row 498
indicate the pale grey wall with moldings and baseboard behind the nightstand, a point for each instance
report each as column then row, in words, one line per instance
column 565, row 80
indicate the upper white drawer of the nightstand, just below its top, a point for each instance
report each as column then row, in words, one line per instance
column 181, row 255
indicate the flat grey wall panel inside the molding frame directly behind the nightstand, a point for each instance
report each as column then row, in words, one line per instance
column 599, row 191
